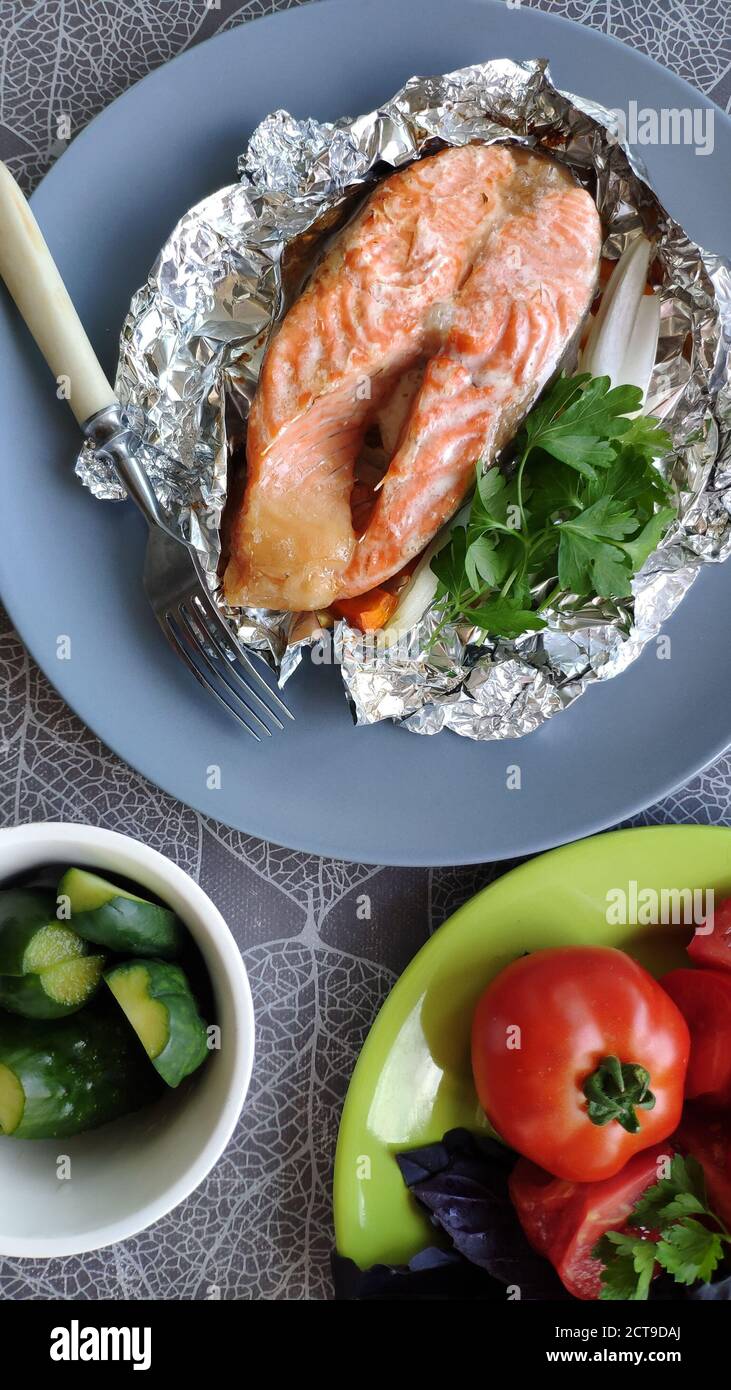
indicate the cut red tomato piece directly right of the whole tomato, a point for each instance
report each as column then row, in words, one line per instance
column 704, row 999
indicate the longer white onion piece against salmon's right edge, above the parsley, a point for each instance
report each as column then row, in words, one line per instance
column 608, row 345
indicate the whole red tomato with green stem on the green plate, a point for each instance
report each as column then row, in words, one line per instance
column 566, row 1045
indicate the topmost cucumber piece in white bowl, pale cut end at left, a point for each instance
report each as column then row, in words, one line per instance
column 120, row 921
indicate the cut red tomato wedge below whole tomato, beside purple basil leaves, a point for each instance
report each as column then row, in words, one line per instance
column 564, row 1221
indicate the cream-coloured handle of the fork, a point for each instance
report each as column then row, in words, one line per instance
column 33, row 279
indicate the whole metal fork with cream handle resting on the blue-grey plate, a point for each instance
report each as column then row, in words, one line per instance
column 174, row 582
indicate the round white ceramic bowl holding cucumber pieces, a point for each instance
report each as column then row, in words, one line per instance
column 129, row 1174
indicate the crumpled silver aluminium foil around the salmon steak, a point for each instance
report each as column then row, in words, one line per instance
column 195, row 336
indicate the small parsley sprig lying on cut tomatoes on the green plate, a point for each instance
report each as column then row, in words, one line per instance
column 683, row 1236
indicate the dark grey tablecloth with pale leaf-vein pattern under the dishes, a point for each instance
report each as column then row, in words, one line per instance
column 261, row 1227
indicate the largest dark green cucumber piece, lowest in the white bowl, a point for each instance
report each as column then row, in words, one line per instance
column 63, row 1078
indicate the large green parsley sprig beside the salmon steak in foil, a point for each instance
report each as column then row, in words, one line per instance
column 583, row 509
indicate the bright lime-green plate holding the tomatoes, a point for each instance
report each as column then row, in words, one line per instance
column 413, row 1079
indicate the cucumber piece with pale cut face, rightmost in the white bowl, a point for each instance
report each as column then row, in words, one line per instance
column 161, row 1007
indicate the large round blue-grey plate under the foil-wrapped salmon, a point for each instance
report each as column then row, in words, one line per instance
column 72, row 566
